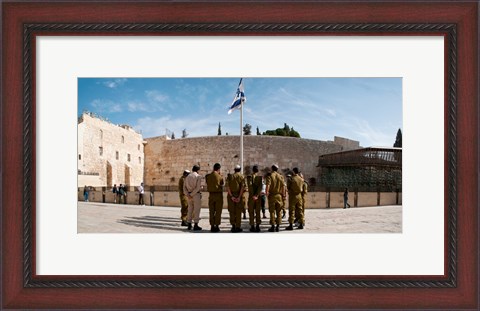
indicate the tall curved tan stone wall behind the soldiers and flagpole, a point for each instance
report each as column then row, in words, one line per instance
column 166, row 159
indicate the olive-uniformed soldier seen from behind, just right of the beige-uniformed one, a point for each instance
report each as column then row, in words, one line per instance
column 215, row 183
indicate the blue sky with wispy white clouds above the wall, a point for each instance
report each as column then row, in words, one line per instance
column 365, row 109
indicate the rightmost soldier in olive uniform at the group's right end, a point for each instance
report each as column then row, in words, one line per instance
column 294, row 187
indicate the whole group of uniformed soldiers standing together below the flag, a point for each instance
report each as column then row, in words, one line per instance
column 273, row 186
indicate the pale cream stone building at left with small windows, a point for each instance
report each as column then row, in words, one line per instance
column 108, row 154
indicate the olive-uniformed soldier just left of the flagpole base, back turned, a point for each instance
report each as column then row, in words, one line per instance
column 235, row 189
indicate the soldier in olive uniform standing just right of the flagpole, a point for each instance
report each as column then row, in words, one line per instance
column 254, row 183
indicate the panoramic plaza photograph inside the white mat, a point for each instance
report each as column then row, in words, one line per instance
column 246, row 154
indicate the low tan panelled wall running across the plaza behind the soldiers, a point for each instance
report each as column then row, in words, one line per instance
column 314, row 199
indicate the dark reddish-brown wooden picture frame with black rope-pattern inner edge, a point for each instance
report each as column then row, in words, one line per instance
column 23, row 21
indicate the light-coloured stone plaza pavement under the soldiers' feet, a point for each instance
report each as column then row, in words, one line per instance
column 115, row 218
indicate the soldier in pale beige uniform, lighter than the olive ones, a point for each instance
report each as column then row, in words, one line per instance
column 191, row 188
